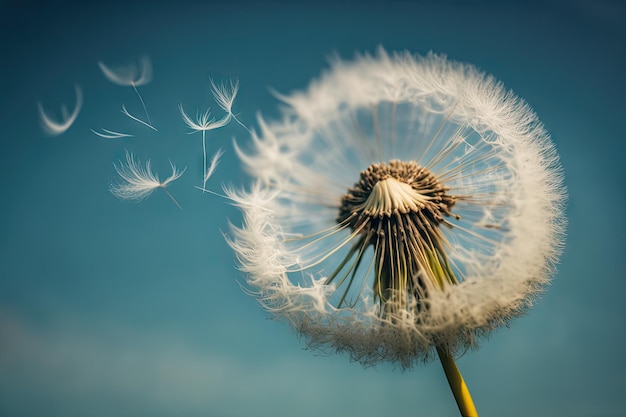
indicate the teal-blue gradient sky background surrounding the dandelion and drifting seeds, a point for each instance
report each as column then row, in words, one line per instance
column 111, row 308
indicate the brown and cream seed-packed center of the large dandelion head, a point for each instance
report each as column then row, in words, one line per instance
column 397, row 208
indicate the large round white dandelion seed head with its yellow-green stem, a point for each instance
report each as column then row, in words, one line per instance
column 403, row 206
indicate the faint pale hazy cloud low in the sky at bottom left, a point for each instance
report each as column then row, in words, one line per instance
column 107, row 369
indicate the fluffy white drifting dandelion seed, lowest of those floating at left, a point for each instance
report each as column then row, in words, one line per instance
column 139, row 181
